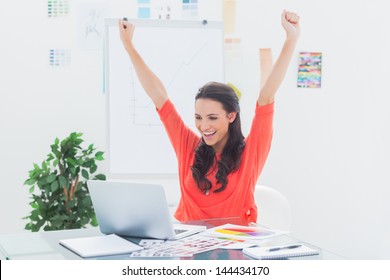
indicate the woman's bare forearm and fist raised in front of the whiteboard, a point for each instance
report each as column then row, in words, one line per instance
column 149, row 81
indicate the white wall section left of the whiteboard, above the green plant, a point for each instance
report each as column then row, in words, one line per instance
column 38, row 102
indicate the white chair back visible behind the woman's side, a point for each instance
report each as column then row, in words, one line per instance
column 273, row 208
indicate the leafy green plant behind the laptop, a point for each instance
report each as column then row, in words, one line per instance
column 60, row 197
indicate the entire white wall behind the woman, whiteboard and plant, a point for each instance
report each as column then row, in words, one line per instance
column 329, row 155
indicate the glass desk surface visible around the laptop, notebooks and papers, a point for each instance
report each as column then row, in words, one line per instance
column 45, row 246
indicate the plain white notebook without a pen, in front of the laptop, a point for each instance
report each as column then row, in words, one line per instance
column 96, row 246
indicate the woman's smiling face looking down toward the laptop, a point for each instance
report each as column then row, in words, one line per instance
column 213, row 122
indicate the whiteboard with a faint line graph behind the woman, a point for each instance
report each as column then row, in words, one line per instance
column 185, row 55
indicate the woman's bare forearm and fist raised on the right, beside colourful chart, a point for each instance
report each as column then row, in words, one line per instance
column 290, row 23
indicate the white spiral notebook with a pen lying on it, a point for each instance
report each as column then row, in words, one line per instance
column 279, row 252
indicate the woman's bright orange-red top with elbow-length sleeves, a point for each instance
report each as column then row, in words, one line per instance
column 237, row 200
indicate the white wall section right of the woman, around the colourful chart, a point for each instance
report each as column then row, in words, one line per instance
column 330, row 153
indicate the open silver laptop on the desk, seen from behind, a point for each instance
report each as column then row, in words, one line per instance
column 135, row 209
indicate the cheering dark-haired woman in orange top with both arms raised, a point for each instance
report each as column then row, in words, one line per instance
column 219, row 170
